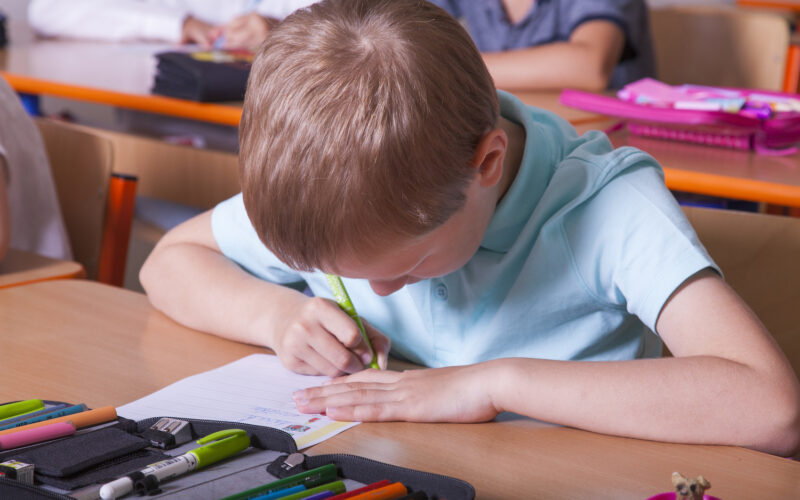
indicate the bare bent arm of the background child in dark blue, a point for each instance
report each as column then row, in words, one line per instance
column 585, row 61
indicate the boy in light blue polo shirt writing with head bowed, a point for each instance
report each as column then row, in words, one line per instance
column 499, row 248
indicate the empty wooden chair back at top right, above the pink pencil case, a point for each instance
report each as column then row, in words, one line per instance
column 720, row 45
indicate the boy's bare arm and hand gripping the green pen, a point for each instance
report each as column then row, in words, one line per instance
column 189, row 279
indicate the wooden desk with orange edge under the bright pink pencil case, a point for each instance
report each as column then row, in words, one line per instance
column 715, row 171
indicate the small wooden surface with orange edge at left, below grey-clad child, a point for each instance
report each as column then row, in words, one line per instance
column 20, row 268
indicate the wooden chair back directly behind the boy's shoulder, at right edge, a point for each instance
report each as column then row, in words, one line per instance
column 759, row 255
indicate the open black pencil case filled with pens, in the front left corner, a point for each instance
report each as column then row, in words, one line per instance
column 272, row 455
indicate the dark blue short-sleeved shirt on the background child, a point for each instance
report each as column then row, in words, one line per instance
column 554, row 21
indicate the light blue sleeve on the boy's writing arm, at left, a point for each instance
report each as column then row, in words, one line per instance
column 238, row 241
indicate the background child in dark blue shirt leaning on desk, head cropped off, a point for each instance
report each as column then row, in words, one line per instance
column 551, row 44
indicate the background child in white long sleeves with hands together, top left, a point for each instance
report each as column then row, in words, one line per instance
column 230, row 23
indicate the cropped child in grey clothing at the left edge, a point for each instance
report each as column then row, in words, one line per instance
column 30, row 217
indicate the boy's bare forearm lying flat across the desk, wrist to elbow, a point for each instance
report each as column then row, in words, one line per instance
column 699, row 399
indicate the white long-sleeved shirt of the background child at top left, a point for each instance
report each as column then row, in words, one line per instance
column 160, row 20
